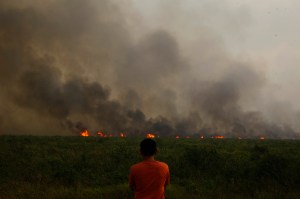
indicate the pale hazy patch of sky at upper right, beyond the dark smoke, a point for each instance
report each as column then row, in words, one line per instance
column 263, row 31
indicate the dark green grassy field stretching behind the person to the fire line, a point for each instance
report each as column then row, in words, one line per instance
column 92, row 167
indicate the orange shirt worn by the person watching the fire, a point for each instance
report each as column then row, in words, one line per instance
column 149, row 179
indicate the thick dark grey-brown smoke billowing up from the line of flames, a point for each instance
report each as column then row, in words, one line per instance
column 72, row 65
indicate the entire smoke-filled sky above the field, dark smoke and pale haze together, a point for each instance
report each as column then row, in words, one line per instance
column 163, row 65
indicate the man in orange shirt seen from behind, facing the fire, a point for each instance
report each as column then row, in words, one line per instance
column 149, row 178
